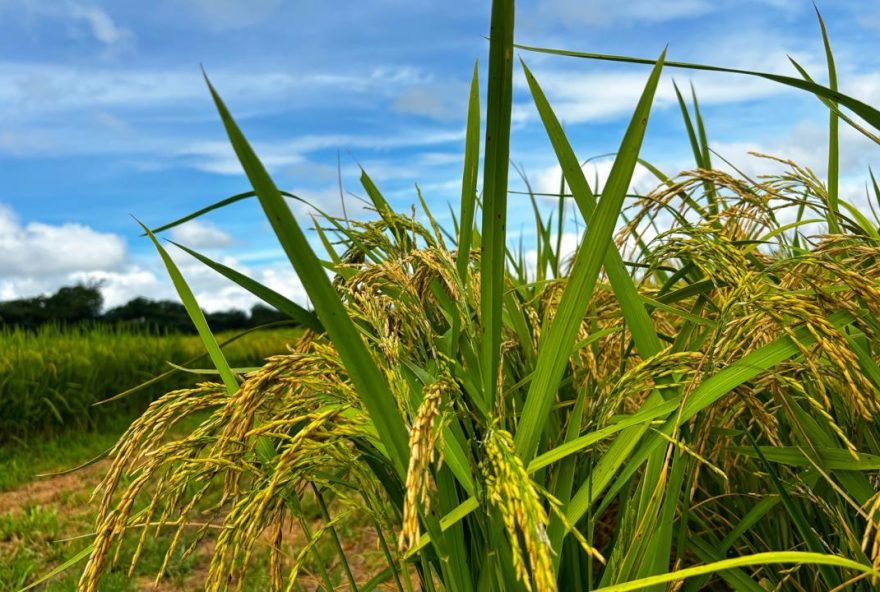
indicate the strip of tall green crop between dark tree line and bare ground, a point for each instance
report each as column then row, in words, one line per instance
column 50, row 379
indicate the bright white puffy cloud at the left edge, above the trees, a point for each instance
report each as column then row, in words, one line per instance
column 38, row 250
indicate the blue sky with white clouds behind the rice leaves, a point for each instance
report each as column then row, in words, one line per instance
column 105, row 116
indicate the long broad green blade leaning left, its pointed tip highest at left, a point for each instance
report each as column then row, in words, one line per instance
column 363, row 372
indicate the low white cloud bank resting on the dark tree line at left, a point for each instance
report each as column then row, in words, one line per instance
column 37, row 258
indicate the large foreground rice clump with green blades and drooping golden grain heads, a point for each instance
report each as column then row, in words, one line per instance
column 689, row 401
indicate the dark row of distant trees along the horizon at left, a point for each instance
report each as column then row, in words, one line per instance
column 82, row 304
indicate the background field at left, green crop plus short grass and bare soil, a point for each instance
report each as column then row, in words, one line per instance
column 49, row 381
